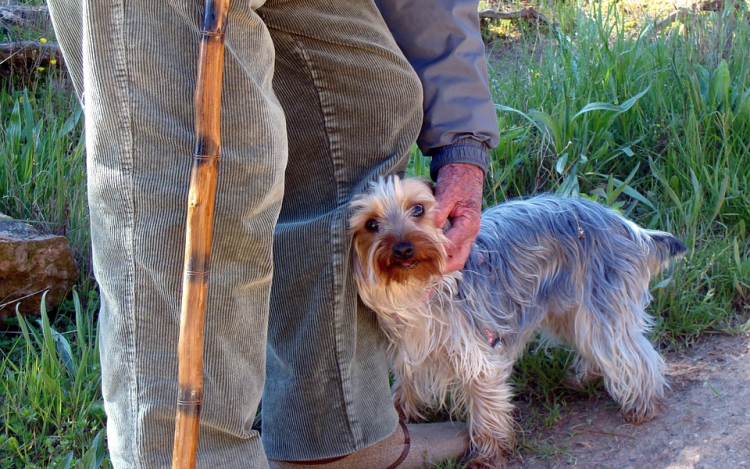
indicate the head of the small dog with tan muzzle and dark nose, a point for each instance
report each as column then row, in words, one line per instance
column 395, row 242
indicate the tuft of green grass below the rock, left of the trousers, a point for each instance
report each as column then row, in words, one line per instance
column 51, row 410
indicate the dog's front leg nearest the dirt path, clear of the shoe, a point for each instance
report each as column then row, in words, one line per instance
column 484, row 373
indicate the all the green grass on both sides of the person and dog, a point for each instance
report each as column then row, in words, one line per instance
column 656, row 124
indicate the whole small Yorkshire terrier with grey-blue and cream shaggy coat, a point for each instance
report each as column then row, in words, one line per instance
column 569, row 268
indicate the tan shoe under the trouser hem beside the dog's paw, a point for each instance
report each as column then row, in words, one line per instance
column 408, row 447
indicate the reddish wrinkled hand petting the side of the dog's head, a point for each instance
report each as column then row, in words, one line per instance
column 458, row 191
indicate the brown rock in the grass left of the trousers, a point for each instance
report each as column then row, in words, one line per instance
column 30, row 264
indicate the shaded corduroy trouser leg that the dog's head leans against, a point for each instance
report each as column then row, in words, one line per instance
column 353, row 107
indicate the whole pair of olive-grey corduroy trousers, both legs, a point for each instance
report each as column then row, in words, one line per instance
column 317, row 101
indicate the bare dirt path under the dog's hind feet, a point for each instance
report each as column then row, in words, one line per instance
column 704, row 424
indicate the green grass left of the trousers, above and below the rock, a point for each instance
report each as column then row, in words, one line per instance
column 51, row 413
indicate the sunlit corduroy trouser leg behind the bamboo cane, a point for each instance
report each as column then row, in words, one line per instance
column 136, row 65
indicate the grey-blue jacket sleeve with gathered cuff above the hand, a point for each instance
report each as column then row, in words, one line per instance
column 442, row 41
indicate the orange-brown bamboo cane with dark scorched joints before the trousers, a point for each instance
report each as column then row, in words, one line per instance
column 201, row 197
